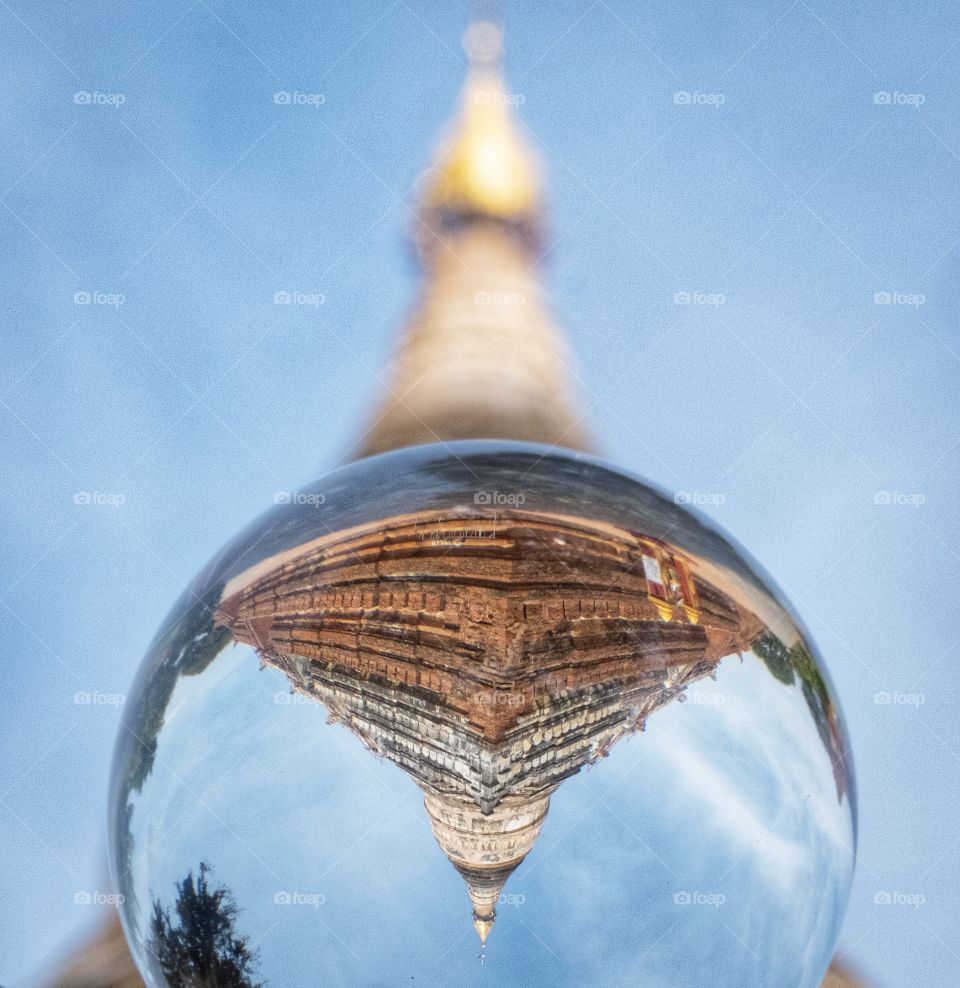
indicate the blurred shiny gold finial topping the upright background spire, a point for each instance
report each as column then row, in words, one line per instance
column 486, row 168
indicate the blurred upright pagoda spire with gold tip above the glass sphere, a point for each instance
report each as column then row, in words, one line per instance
column 480, row 357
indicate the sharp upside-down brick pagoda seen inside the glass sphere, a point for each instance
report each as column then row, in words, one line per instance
column 490, row 657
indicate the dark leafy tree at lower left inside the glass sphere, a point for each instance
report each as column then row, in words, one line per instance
column 202, row 948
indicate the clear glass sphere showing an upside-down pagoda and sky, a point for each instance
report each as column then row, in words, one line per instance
column 482, row 714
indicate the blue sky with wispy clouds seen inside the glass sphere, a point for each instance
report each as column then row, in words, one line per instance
column 704, row 801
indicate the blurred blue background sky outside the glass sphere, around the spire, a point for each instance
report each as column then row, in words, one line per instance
column 799, row 403
